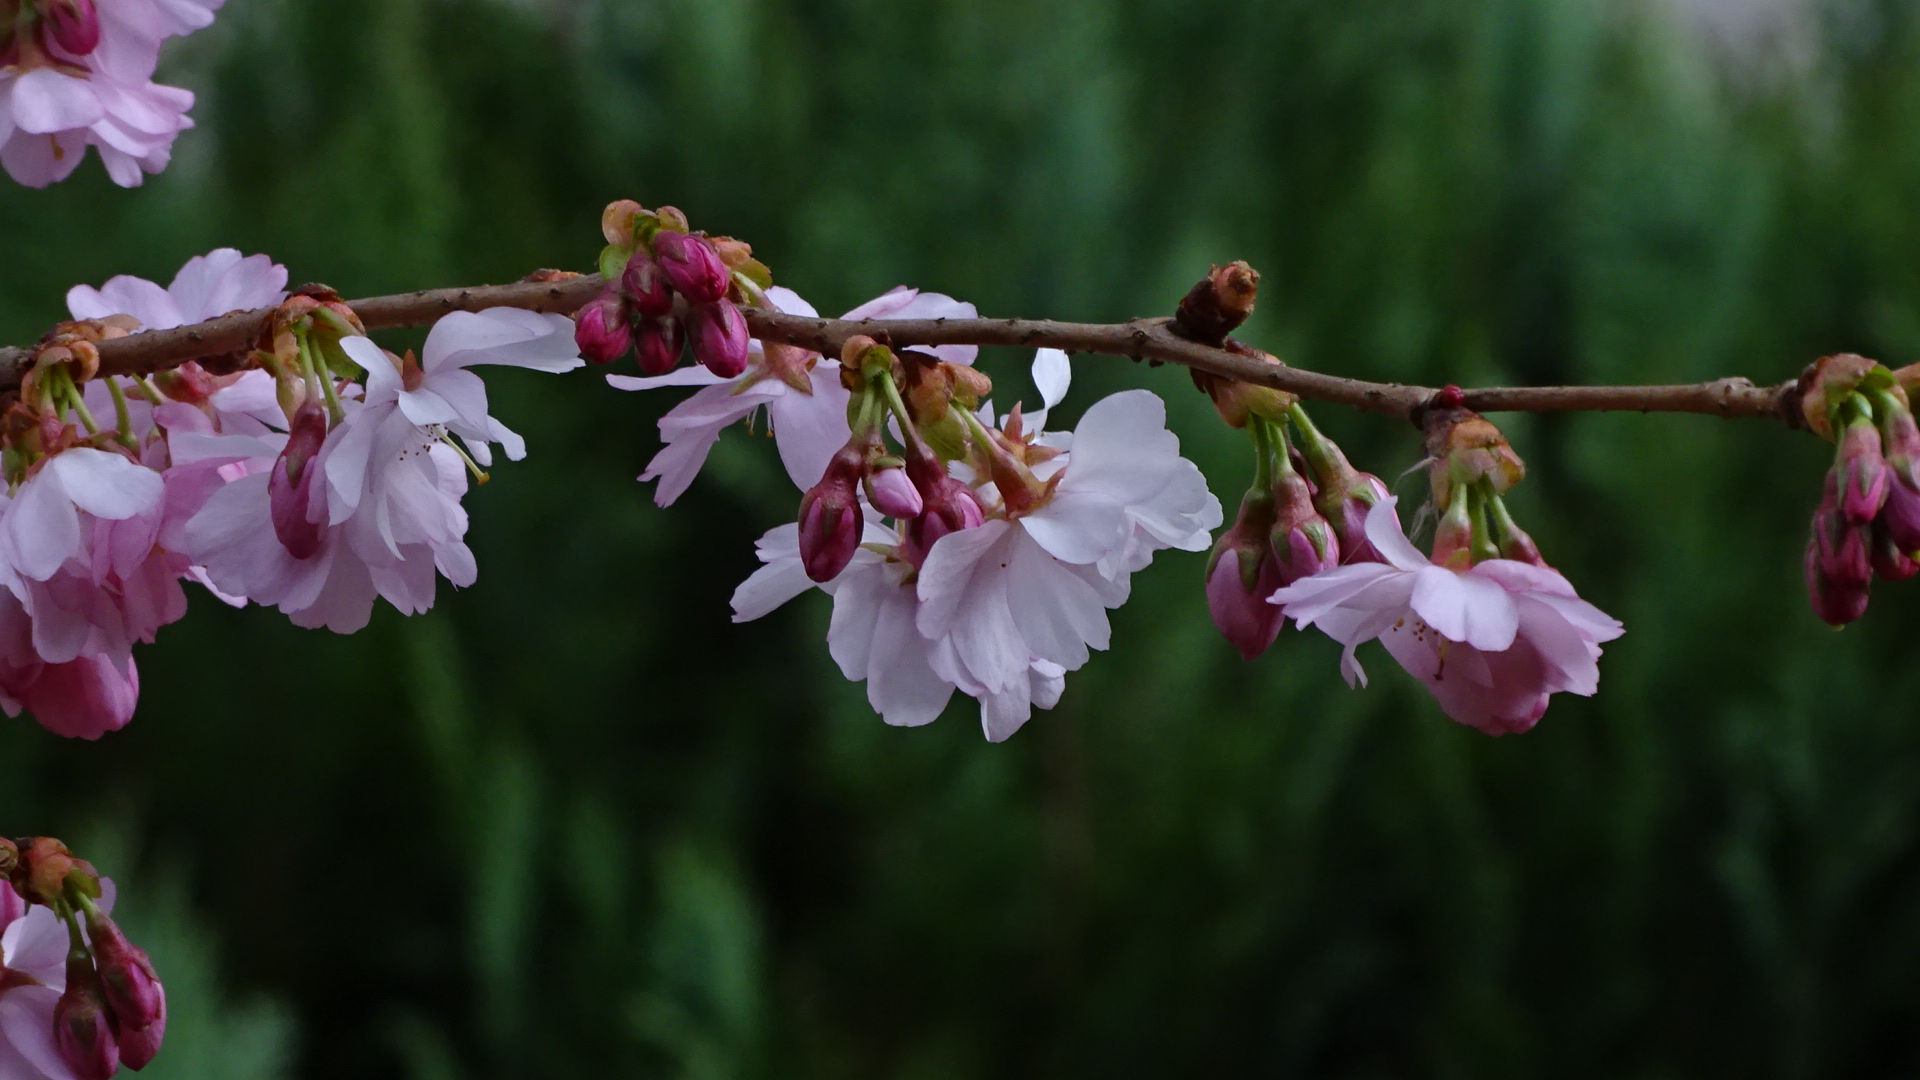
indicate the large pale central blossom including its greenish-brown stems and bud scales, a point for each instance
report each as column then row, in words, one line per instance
column 1032, row 547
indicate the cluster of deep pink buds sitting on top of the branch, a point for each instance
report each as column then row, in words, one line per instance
column 669, row 287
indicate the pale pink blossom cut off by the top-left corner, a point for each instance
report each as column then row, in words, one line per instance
column 78, row 74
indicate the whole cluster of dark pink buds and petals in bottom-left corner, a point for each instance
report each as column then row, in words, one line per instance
column 103, row 1006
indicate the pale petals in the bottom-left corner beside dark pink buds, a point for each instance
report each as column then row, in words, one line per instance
column 34, row 975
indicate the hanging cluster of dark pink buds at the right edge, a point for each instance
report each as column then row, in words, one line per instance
column 1869, row 518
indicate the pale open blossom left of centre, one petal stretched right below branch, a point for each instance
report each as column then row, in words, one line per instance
column 389, row 514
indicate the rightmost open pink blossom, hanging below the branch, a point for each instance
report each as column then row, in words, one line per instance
column 1493, row 643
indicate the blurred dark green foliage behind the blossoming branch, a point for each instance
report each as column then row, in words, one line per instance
column 575, row 823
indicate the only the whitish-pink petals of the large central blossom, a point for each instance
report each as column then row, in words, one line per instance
column 1005, row 606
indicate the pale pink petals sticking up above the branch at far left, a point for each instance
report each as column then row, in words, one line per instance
column 206, row 287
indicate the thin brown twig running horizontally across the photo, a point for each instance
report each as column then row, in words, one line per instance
column 1141, row 339
